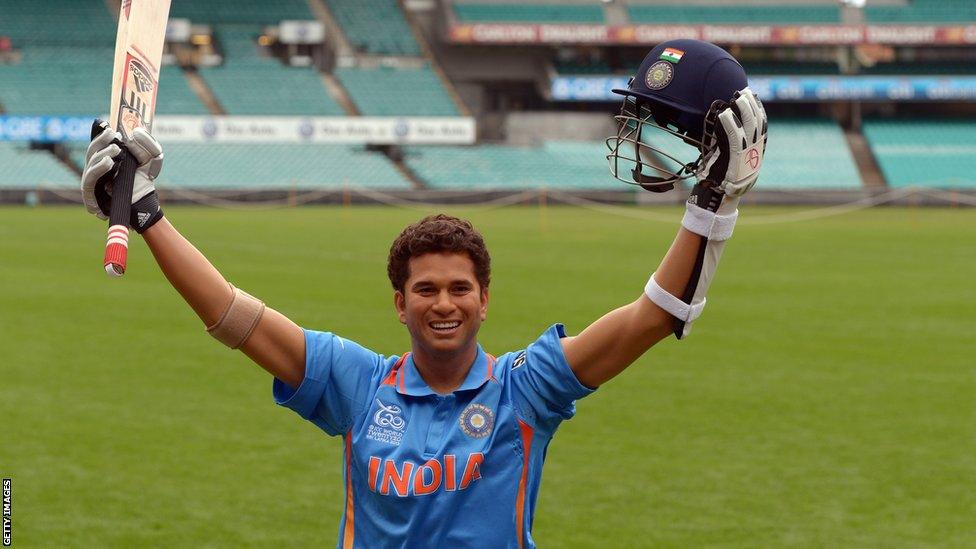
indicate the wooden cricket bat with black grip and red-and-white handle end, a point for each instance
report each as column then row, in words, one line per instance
column 135, row 81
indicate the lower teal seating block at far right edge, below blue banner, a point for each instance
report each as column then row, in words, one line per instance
column 929, row 153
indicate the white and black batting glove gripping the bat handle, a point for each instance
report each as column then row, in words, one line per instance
column 101, row 168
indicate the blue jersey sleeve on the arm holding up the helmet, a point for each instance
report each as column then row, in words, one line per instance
column 545, row 388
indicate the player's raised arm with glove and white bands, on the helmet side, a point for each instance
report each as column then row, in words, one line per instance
column 675, row 294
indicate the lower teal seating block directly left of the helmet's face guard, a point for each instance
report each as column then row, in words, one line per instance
column 555, row 164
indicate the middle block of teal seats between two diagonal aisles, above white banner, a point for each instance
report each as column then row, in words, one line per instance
column 248, row 83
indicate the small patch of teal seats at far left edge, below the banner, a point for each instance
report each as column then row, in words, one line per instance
column 26, row 168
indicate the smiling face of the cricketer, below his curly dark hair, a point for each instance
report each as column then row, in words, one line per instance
column 442, row 306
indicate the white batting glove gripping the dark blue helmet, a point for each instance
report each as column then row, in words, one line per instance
column 735, row 142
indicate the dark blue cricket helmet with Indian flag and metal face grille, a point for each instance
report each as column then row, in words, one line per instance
column 677, row 86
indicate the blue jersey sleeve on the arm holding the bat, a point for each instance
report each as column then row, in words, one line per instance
column 339, row 375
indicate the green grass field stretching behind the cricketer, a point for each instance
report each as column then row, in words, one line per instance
column 826, row 397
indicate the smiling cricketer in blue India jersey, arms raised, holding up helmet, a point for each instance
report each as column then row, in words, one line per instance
column 444, row 445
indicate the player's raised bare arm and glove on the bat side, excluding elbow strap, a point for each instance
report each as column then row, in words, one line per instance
column 275, row 343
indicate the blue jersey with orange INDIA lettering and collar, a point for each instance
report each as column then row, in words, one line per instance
column 428, row 470
